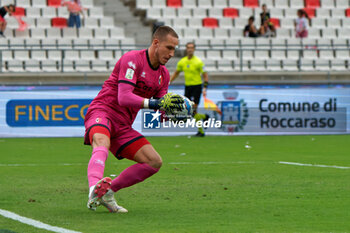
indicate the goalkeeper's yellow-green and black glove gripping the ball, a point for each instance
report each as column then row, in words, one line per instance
column 167, row 103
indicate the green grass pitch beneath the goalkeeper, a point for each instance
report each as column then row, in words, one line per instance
column 245, row 190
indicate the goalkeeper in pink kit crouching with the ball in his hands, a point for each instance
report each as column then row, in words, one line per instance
column 137, row 77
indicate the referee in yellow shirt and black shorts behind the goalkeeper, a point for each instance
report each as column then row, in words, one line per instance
column 193, row 68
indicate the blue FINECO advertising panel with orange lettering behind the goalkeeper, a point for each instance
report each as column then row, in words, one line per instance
column 46, row 112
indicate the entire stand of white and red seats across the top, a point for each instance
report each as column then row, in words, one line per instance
column 216, row 26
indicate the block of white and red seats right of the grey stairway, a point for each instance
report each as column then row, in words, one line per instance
column 205, row 21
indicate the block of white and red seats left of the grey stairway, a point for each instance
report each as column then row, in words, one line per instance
column 46, row 44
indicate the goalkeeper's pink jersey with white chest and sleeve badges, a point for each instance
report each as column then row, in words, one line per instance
column 133, row 68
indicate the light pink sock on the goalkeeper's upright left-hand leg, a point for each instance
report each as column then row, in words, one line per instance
column 97, row 165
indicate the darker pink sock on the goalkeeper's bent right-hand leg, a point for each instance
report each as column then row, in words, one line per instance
column 133, row 175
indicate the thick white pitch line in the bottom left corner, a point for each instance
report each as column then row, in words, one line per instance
column 34, row 223
